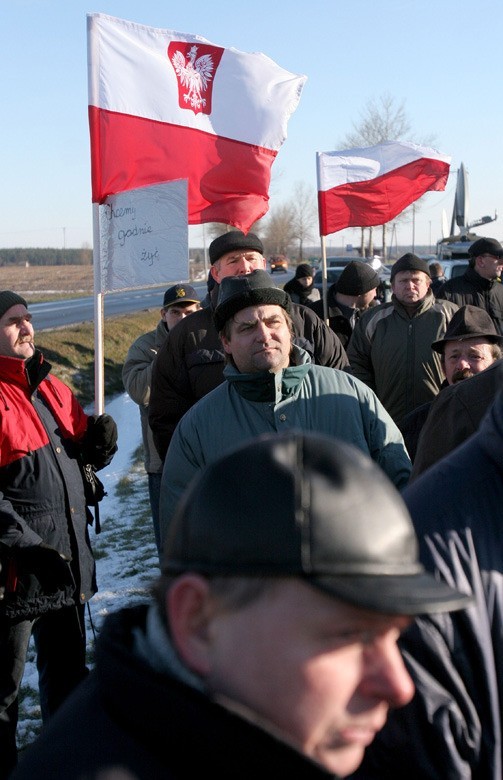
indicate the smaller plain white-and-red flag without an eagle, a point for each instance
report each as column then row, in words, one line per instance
column 370, row 186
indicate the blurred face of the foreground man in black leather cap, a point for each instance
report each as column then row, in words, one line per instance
column 321, row 671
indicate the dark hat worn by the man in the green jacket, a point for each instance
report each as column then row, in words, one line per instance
column 239, row 292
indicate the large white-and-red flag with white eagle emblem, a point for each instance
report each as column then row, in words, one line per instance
column 165, row 105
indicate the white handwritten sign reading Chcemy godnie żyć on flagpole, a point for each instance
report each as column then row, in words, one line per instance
column 144, row 237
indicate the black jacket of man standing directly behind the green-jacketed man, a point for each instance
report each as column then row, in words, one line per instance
column 191, row 362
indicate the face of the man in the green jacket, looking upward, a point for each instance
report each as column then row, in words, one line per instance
column 260, row 339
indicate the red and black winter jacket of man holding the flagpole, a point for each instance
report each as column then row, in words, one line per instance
column 42, row 431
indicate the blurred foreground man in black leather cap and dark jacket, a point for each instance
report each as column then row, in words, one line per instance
column 270, row 649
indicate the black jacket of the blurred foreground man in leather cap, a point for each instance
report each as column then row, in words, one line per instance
column 126, row 720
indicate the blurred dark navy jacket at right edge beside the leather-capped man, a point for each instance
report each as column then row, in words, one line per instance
column 452, row 729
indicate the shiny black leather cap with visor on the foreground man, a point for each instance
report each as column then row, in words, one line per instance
column 308, row 506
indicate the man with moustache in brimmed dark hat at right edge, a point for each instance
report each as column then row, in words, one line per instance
column 470, row 345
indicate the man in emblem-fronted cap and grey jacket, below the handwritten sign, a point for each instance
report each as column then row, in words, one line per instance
column 180, row 300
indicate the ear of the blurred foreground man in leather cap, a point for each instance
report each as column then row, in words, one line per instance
column 189, row 613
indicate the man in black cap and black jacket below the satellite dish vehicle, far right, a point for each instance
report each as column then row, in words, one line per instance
column 480, row 285
